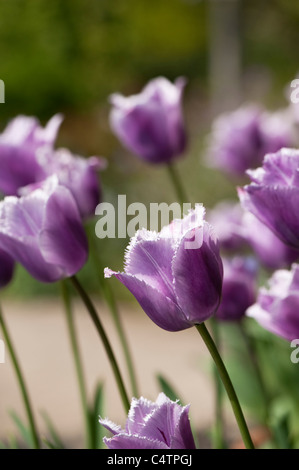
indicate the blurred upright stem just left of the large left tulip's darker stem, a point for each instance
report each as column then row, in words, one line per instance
column 78, row 364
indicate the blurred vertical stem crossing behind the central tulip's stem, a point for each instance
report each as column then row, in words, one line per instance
column 219, row 439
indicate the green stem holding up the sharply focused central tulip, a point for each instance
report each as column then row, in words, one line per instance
column 208, row 340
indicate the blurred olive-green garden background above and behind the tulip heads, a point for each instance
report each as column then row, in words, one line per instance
column 69, row 55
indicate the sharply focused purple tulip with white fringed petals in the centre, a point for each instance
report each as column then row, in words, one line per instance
column 175, row 275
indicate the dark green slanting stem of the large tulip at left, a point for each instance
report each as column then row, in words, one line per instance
column 100, row 329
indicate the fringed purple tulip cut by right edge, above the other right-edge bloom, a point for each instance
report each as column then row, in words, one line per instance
column 273, row 195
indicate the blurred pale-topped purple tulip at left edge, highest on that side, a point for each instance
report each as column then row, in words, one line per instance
column 18, row 145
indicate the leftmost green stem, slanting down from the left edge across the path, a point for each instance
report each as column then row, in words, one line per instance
column 21, row 381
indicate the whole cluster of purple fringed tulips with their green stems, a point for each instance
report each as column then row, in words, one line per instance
column 49, row 195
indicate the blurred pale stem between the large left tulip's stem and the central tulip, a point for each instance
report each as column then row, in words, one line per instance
column 111, row 302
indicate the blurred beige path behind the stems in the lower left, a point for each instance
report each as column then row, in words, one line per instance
column 38, row 329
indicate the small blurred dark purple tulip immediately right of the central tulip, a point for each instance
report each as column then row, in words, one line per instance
column 239, row 288
